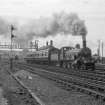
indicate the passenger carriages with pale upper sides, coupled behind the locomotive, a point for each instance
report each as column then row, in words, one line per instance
column 44, row 55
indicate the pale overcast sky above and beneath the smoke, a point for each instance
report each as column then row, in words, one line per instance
column 91, row 11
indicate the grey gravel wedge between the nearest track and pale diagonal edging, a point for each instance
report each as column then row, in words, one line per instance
column 50, row 94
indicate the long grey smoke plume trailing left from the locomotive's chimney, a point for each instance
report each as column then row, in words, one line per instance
column 66, row 23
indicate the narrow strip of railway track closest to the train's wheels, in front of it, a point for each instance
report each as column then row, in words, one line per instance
column 83, row 74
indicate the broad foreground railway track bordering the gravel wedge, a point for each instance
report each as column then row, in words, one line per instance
column 89, row 86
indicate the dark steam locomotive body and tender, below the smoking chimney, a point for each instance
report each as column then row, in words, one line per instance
column 77, row 58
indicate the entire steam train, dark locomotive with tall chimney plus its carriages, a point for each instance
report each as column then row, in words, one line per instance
column 66, row 57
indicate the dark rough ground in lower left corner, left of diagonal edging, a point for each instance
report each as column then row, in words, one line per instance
column 11, row 93
